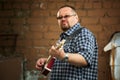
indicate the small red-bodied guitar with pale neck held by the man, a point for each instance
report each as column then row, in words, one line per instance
column 50, row 60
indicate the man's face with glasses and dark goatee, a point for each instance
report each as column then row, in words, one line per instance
column 66, row 18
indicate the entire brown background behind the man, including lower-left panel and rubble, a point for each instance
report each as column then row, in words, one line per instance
column 28, row 28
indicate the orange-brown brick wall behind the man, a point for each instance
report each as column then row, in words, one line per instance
column 35, row 23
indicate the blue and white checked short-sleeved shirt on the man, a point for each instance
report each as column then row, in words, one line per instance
column 84, row 44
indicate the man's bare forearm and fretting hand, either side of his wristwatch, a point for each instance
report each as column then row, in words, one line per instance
column 73, row 58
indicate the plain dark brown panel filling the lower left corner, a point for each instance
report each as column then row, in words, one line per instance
column 11, row 68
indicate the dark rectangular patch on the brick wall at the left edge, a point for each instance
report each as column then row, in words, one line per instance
column 7, row 44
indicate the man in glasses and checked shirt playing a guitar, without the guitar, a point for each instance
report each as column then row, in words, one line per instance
column 78, row 60
